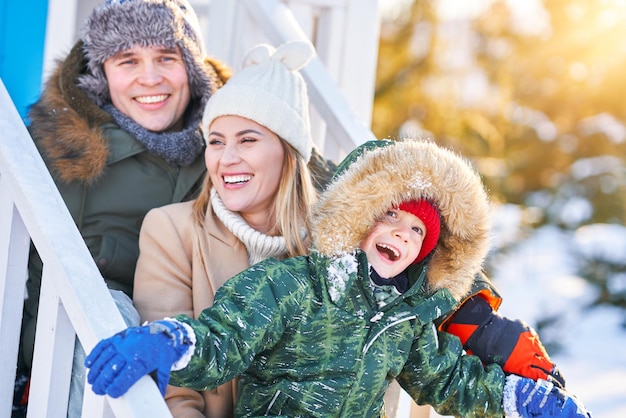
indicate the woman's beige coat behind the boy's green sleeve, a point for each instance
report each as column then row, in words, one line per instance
column 180, row 268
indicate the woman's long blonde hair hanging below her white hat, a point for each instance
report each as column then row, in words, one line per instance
column 294, row 198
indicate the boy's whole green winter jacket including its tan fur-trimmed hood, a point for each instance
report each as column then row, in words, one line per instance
column 306, row 335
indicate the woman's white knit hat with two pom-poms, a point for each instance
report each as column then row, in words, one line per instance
column 271, row 92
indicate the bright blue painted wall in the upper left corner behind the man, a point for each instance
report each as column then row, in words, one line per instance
column 22, row 34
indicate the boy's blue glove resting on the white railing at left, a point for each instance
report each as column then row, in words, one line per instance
column 118, row 362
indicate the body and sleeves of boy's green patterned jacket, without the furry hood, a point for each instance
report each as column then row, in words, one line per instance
column 309, row 340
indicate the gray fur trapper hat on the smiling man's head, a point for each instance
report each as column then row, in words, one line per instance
column 118, row 25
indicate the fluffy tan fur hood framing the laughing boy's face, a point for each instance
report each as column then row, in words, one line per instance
column 379, row 175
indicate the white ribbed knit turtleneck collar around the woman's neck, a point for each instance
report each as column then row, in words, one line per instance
column 259, row 245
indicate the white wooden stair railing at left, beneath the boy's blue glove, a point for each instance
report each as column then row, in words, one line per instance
column 74, row 299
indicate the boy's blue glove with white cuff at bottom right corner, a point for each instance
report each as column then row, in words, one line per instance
column 526, row 398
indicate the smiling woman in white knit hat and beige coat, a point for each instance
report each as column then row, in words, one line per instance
column 254, row 202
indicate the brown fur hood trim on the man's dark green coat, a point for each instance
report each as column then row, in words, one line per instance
column 66, row 124
